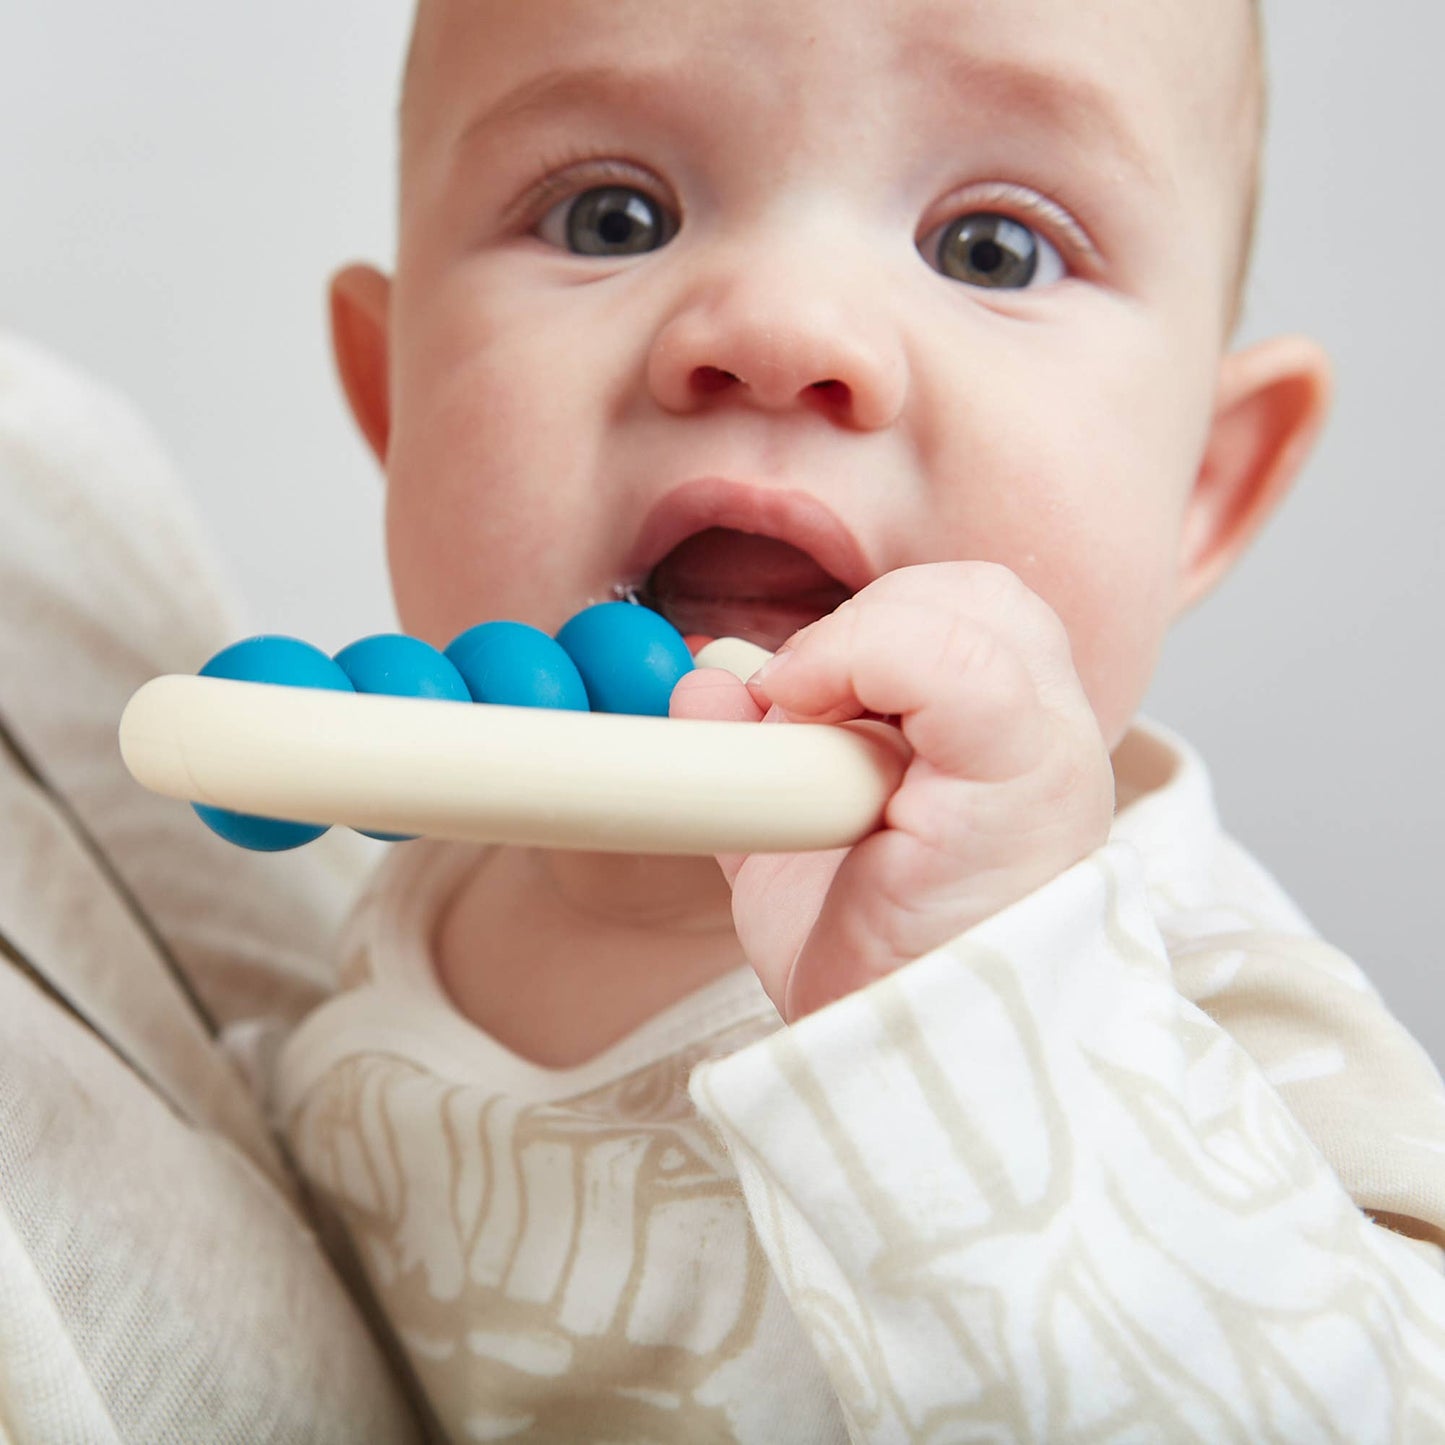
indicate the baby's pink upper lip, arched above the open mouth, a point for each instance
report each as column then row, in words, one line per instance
column 775, row 512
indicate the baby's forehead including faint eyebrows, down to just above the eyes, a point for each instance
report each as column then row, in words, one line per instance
column 1148, row 102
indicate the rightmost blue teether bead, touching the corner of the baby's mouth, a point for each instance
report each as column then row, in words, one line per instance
column 629, row 657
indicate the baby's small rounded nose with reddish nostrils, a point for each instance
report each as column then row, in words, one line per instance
column 781, row 345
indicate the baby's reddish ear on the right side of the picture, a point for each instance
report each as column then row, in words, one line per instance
column 1271, row 405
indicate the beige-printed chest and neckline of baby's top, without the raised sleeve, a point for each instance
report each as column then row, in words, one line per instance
column 566, row 1255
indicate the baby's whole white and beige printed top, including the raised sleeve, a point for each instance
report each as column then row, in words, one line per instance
column 1096, row 1171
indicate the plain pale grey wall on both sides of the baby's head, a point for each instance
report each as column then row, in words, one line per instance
column 178, row 180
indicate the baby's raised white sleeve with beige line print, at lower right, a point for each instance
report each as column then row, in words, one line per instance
column 1025, row 1187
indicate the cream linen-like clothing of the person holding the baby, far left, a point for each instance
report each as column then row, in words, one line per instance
column 160, row 1281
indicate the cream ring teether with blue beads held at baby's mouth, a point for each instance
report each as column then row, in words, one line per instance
column 566, row 743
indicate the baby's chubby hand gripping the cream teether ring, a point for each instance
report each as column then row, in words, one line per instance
column 1011, row 781
